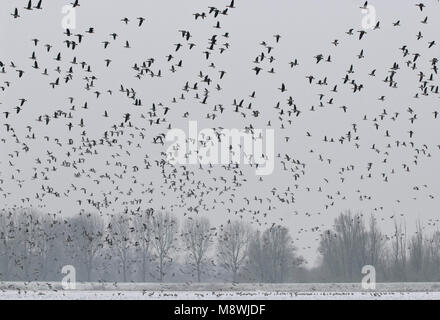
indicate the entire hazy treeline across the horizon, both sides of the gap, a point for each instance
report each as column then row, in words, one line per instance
column 149, row 246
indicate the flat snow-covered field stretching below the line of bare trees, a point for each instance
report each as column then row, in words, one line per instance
column 151, row 291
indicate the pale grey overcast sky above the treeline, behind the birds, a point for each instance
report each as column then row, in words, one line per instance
column 307, row 29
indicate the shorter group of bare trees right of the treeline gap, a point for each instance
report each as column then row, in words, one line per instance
column 354, row 242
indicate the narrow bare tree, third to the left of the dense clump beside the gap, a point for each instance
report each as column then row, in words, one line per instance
column 164, row 230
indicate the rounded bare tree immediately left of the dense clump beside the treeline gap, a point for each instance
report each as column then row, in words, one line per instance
column 233, row 245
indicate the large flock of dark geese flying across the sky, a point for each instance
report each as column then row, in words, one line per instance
column 93, row 155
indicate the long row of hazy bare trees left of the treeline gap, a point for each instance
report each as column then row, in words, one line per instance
column 141, row 246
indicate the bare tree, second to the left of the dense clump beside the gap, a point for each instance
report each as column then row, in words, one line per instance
column 197, row 238
